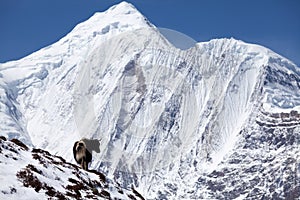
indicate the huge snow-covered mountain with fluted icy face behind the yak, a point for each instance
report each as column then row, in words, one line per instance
column 220, row 120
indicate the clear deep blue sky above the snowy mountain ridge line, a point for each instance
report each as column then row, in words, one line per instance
column 28, row 25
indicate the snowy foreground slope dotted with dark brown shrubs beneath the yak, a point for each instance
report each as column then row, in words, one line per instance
column 36, row 174
